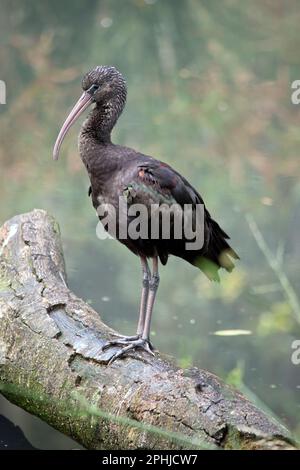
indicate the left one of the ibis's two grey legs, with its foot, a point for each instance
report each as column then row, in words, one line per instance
column 143, row 306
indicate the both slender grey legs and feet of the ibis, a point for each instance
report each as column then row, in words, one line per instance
column 143, row 339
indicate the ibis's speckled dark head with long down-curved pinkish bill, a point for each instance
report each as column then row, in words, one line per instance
column 103, row 85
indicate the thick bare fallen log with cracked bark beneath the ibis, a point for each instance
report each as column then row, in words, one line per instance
column 52, row 365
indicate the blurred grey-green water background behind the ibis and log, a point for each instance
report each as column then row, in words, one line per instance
column 209, row 92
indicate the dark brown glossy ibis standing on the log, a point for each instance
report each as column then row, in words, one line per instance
column 118, row 173
